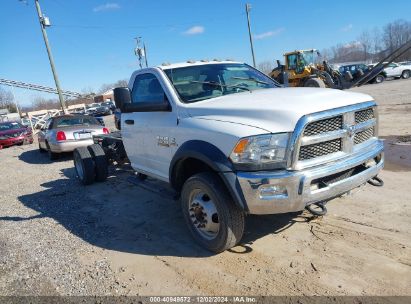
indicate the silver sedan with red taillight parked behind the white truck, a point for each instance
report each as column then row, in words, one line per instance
column 67, row 132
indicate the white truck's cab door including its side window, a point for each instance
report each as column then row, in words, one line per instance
column 147, row 135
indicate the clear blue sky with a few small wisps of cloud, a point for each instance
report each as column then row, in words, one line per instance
column 93, row 43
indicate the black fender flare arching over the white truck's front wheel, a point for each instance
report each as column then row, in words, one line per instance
column 214, row 158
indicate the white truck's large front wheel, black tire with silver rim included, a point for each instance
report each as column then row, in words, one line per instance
column 205, row 201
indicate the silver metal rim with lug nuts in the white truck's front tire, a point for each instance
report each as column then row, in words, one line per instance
column 203, row 214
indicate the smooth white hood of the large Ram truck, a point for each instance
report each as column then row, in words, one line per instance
column 273, row 110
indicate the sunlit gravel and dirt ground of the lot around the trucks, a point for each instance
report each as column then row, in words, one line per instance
column 117, row 238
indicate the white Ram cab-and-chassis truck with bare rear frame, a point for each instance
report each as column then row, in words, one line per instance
column 232, row 142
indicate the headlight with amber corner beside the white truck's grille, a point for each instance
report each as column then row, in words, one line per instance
column 261, row 152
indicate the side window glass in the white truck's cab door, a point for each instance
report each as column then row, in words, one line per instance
column 147, row 88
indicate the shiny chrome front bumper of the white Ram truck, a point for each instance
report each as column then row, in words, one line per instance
column 289, row 191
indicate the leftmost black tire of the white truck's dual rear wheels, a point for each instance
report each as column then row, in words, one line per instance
column 84, row 165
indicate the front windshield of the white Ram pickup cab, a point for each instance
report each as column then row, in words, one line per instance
column 202, row 82
